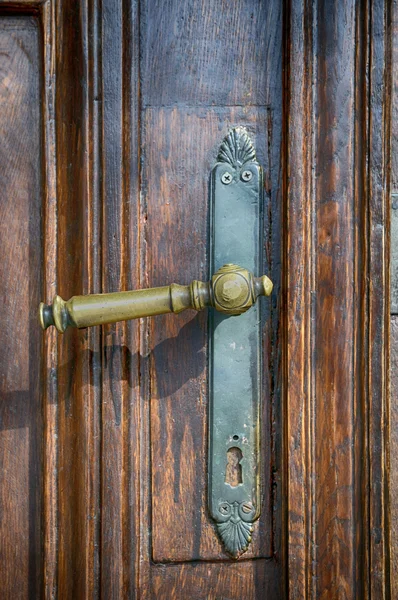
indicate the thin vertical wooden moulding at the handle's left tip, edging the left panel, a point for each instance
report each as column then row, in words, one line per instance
column 50, row 398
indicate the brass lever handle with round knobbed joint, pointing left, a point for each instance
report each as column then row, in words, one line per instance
column 232, row 290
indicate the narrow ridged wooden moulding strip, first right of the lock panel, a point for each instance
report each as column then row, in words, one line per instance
column 299, row 285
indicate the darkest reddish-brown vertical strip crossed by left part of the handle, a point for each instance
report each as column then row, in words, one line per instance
column 78, row 271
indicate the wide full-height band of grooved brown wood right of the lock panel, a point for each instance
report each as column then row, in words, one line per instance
column 336, row 370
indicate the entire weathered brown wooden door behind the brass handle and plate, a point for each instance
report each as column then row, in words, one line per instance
column 111, row 116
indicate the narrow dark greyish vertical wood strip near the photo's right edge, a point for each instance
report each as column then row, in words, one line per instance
column 379, row 294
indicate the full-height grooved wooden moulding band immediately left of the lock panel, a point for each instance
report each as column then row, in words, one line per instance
column 122, row 449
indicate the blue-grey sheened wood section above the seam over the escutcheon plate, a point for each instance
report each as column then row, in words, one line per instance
column 211, row 53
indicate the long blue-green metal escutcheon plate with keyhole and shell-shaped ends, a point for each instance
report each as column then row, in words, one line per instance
column 235, row 359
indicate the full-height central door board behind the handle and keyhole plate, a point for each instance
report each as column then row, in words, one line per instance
column 186, row 114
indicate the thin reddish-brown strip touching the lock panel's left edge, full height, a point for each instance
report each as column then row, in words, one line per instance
column 133, row 548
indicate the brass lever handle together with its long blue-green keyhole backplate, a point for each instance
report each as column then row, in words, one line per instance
column 235, row 346
